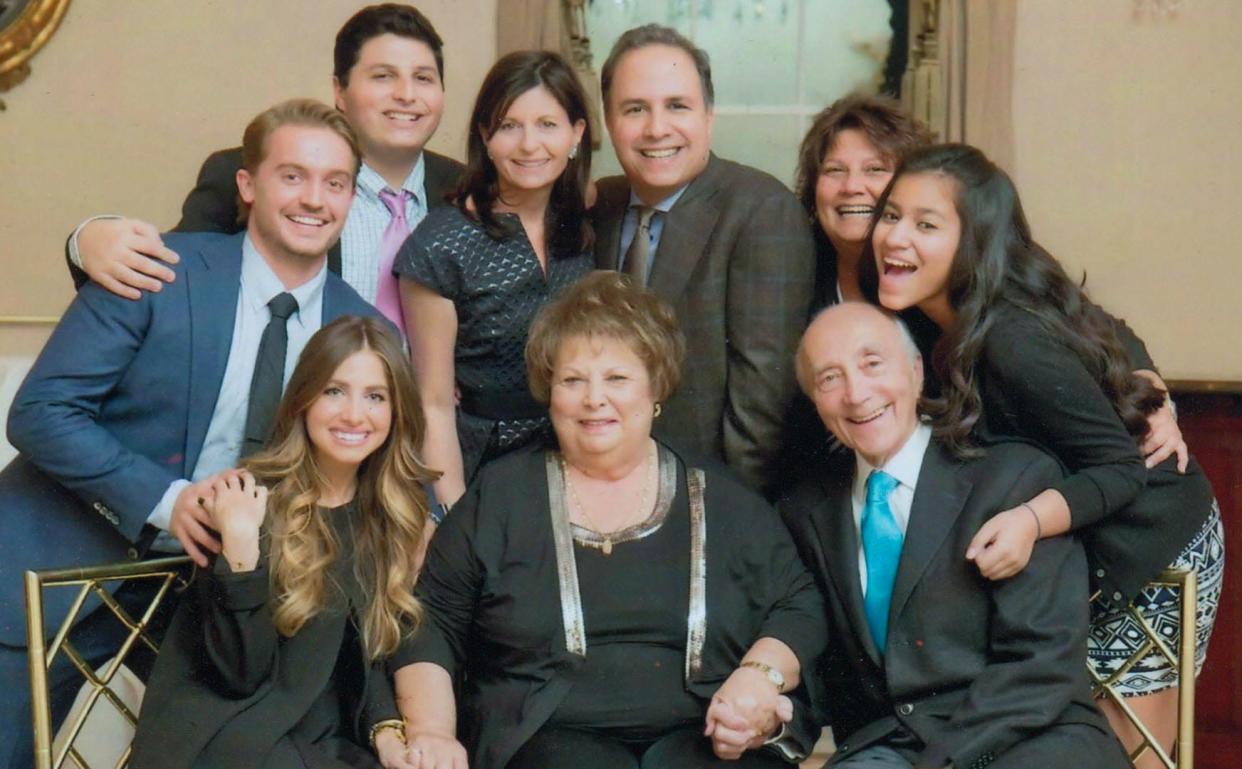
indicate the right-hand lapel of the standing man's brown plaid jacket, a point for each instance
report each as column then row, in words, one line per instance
column 686, row 230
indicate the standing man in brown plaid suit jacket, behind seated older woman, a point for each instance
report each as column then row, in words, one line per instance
column 726, row 244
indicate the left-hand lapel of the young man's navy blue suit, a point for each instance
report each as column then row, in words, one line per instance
column 213, row 285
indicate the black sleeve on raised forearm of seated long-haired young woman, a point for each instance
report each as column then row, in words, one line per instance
column 240, row 642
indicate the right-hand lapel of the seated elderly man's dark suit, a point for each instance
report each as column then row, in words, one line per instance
column 938, row 501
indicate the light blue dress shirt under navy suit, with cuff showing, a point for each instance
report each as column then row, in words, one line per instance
column 222, row 447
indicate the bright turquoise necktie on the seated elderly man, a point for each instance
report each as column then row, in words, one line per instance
column 882, row 548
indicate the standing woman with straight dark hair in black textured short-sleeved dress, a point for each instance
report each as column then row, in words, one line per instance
column 474, row 276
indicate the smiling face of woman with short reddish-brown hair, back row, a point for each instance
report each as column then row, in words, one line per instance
column 853, row 177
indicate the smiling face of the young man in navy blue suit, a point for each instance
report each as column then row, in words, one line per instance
column 300, row 194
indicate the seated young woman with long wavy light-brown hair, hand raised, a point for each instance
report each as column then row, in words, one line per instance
column 278, row 653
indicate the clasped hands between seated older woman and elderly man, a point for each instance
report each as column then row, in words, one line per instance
column 746, row 711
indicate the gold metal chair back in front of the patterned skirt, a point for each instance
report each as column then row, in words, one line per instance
column 1183, row 662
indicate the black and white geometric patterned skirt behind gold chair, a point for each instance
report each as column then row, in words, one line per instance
column 1116, row 635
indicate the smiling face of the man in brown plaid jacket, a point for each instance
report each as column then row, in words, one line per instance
column 660, row 124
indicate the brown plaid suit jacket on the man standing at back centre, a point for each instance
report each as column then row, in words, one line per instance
column 737, row 263
